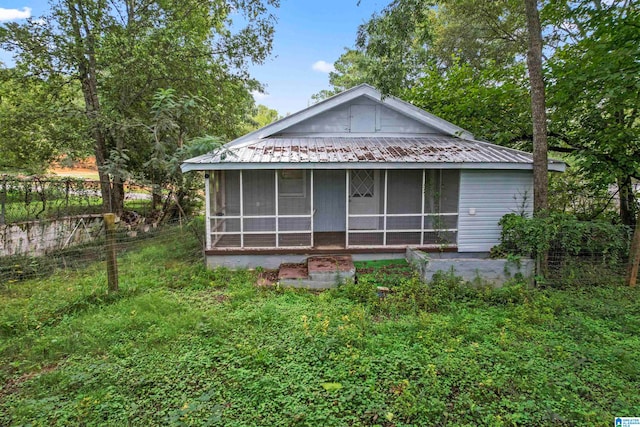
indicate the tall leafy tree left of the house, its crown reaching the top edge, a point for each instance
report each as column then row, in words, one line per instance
column 121, row 52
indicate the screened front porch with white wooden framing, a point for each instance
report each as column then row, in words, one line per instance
column 316, row 208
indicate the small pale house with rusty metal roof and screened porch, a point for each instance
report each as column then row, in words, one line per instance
column 361, row 174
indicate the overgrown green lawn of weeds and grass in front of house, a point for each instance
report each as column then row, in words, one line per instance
column 181, row 345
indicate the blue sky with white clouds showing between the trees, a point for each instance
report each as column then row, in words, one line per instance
column 310, row 36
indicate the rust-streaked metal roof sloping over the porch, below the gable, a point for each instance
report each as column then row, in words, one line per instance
column 433, row 151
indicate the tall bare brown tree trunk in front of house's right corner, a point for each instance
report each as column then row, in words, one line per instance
column 538, row 111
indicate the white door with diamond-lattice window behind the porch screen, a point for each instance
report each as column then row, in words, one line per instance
column 364, row 198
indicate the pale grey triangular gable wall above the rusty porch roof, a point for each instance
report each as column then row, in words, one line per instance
column 360, row 115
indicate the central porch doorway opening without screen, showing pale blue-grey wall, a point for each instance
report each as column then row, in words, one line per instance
column 328, row 200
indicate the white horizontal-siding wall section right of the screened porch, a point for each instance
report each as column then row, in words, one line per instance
column 492, row 194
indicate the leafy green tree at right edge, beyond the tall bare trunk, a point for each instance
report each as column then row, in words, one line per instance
column 595, row 97
